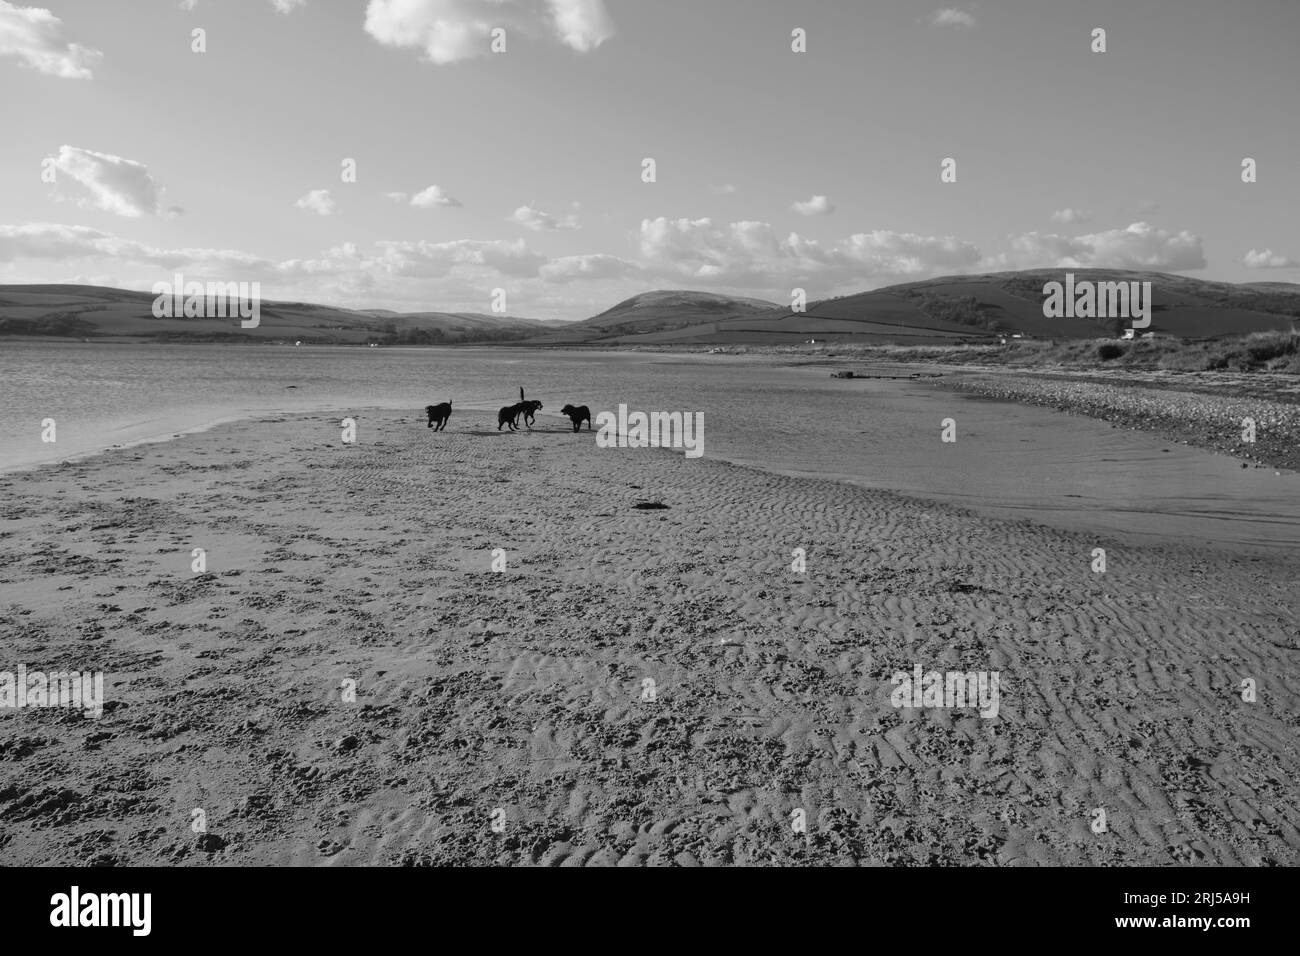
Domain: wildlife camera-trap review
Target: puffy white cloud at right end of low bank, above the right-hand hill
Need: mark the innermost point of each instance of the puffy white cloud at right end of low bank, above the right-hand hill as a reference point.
(1139, 246)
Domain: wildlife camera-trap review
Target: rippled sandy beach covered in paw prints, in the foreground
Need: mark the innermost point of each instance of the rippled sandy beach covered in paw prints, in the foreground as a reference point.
(636, 686)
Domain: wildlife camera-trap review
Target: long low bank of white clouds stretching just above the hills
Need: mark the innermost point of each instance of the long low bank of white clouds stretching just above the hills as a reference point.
(748, 258)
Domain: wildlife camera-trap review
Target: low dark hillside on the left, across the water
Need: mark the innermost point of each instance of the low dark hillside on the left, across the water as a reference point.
(98, 313)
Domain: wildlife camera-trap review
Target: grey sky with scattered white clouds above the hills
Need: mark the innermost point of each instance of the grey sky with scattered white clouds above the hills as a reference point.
(129, 155)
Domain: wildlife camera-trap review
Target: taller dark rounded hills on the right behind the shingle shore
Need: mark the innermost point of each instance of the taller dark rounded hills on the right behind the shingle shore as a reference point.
(937, 312)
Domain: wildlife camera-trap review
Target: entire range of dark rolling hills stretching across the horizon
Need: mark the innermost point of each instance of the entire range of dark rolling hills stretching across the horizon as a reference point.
(931, 312)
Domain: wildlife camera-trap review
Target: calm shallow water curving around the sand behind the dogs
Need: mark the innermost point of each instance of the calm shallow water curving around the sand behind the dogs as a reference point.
(1009, 461)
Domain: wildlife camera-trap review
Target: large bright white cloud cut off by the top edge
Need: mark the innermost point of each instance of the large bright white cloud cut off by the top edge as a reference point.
(454, 31)
